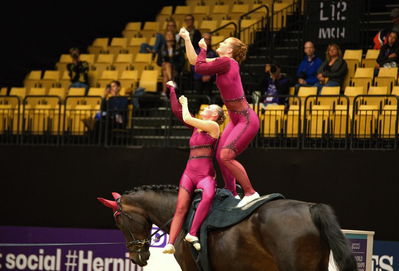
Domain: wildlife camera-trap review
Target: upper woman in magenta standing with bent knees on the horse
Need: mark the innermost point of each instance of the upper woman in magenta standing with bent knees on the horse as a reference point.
(244, 122)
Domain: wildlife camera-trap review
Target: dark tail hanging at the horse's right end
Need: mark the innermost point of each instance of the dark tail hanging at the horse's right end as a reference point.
(324, 218)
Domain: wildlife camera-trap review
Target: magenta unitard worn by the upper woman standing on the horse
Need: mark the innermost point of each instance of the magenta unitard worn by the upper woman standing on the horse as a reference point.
(243, 125)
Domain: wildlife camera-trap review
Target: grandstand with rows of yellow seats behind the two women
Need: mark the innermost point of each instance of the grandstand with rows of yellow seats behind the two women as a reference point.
(362, 115)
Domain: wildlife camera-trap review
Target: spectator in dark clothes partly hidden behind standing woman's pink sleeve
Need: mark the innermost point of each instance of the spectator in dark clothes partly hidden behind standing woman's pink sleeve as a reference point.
(204, 83)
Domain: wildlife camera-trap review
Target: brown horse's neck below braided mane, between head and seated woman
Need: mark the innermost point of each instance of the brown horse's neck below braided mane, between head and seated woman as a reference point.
(159, 207)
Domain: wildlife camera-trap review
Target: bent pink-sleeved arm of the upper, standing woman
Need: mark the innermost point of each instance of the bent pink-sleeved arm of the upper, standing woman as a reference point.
(219, 65)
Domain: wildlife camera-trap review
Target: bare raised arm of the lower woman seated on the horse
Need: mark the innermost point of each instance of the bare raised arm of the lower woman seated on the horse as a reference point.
(209, 126)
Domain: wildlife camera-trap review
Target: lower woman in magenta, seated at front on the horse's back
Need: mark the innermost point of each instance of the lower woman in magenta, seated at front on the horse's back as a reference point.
(199, 172)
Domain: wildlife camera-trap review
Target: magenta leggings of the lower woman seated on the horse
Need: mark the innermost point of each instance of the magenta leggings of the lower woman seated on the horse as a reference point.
(186, 189)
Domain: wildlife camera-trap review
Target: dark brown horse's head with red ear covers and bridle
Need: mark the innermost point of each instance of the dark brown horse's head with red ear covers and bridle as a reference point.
(135, 225)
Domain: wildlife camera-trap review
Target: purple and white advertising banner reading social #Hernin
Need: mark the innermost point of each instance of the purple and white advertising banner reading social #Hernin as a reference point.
(70, 249)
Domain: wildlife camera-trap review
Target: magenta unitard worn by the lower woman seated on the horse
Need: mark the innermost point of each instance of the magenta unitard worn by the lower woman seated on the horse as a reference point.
(199, 173)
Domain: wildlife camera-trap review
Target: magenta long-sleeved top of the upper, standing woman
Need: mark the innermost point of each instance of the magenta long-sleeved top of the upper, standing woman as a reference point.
(227, 73)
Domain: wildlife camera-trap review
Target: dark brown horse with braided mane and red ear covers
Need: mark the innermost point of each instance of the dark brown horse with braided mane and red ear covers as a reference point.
(280, 235)
